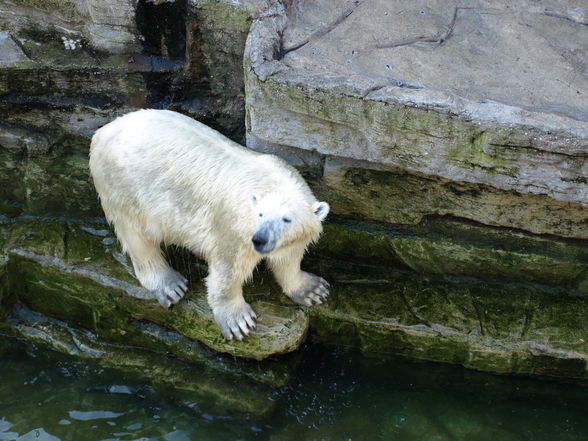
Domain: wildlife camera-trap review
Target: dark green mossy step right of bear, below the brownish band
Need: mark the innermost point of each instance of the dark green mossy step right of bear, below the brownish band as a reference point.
(448, 247)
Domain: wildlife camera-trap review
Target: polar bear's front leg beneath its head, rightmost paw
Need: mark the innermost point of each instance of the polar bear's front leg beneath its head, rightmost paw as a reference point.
(303, 288)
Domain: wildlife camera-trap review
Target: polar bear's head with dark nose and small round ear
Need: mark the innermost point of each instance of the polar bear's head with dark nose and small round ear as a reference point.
(283, 219)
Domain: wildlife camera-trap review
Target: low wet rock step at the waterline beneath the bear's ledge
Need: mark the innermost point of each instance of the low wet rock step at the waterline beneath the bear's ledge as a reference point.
(186, 380)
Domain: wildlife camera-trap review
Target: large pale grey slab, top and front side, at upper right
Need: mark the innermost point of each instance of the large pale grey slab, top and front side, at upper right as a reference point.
(492, 93)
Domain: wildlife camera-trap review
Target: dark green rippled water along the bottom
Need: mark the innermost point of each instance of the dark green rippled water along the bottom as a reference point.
(335, 394)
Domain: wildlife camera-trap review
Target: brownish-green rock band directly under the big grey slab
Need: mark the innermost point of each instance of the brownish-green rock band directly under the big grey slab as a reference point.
(400, 197)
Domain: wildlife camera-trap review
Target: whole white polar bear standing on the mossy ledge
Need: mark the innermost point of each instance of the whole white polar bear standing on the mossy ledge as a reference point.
(164, 177)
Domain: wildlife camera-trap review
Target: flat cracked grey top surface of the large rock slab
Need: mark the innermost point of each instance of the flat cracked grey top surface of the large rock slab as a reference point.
(525, 54)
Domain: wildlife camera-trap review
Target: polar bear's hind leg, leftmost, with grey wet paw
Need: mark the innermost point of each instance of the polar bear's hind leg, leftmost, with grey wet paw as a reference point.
(151, 269)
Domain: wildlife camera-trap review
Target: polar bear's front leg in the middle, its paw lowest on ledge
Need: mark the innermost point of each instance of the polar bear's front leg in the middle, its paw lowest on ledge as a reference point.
(225, 296)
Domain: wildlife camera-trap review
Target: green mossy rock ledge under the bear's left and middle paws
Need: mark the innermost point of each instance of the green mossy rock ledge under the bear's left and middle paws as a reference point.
(77, 276)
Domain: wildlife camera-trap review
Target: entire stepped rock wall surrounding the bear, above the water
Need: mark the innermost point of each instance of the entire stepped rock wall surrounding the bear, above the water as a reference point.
(450, 139)
